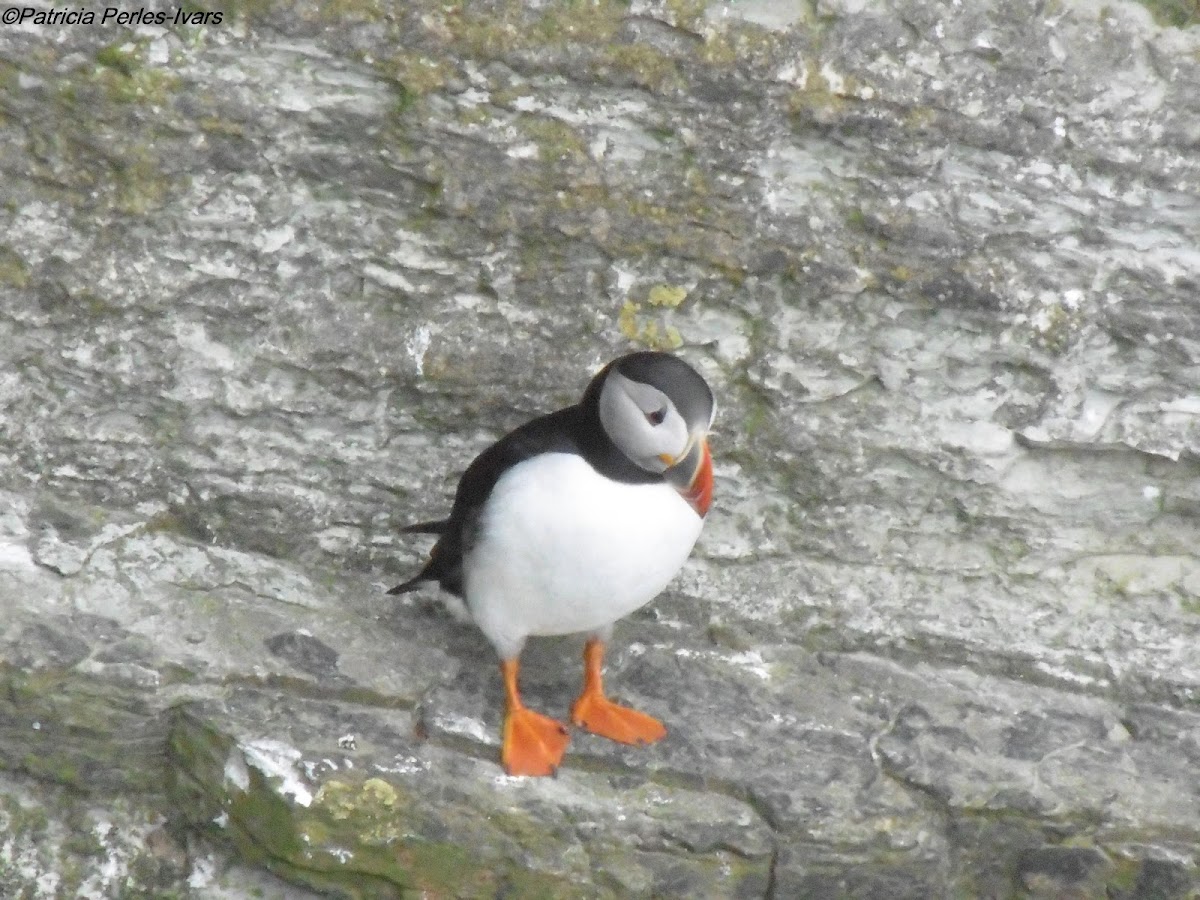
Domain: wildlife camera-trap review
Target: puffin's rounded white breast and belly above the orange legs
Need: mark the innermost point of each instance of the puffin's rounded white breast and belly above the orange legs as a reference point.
(562, 549)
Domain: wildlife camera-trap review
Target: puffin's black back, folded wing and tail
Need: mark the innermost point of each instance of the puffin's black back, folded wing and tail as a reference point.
(556, 433)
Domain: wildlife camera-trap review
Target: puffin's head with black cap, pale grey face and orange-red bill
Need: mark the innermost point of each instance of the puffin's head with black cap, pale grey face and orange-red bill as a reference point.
(657, 411)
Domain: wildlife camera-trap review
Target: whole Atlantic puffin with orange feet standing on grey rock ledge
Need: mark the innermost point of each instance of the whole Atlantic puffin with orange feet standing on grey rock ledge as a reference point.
(573, 521)
